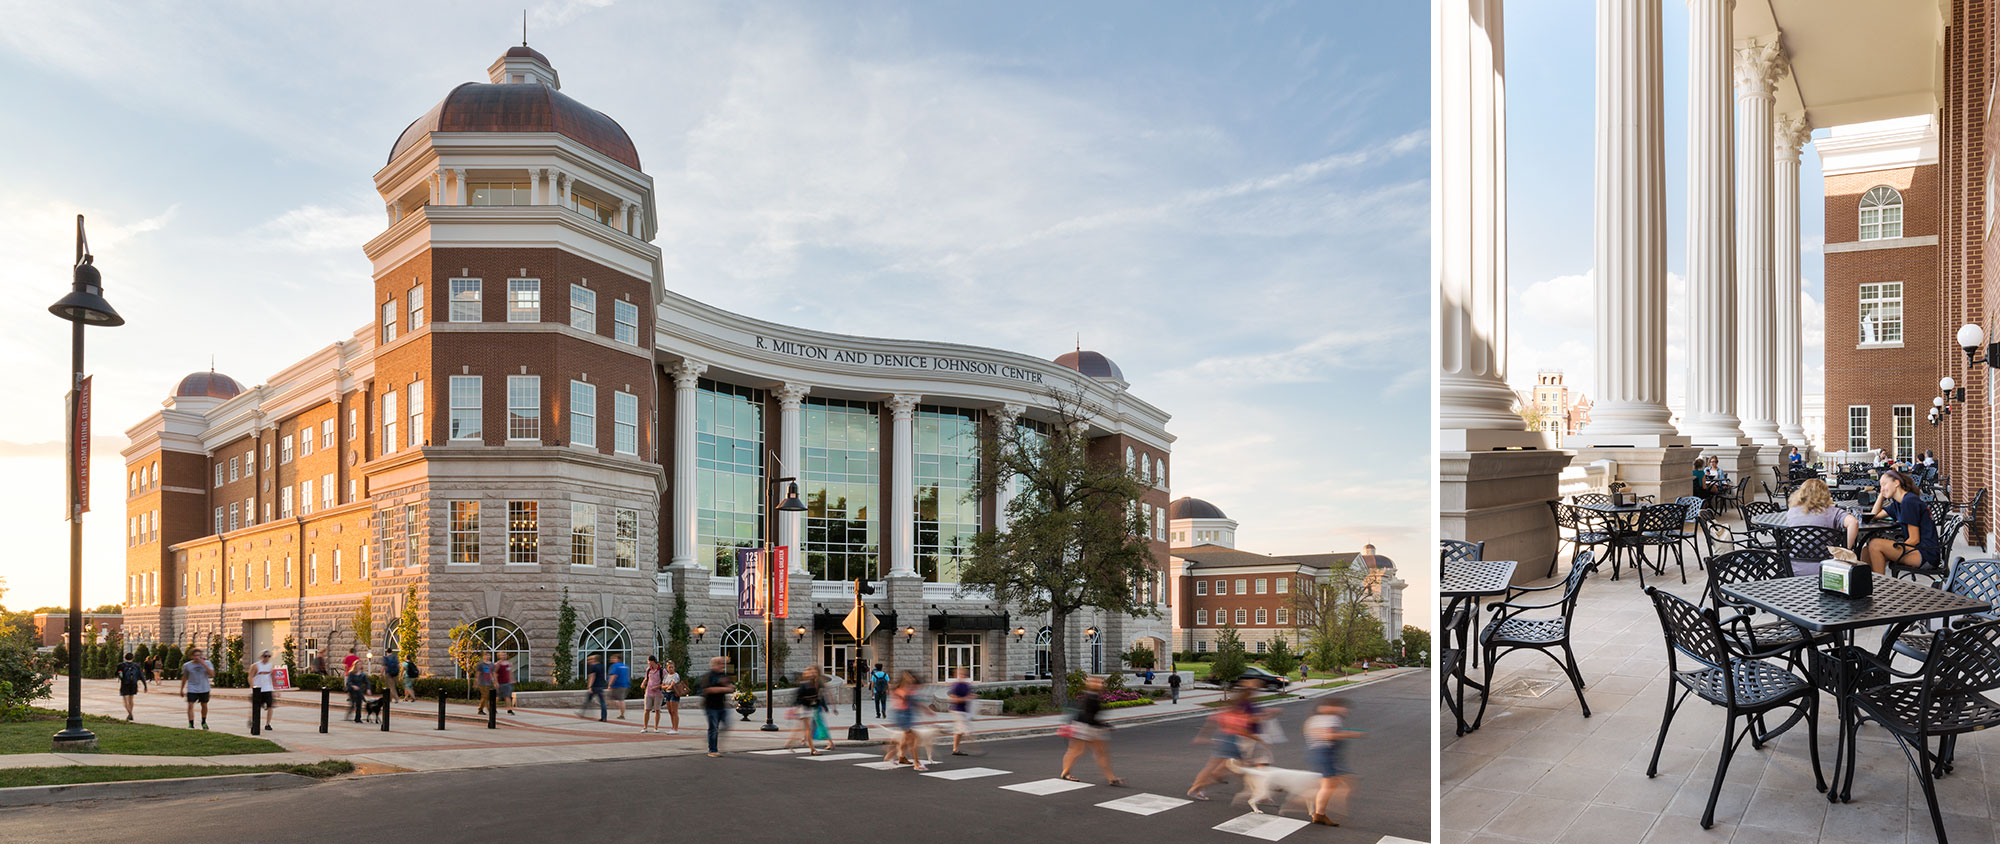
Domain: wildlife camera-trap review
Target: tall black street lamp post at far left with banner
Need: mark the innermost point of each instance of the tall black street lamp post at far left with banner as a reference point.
(83, 307)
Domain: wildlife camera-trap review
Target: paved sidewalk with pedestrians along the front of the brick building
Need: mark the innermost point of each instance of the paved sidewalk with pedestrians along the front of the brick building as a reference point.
(529, 737)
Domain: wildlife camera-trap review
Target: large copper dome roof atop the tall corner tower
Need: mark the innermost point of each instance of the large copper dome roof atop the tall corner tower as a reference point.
(527, 107)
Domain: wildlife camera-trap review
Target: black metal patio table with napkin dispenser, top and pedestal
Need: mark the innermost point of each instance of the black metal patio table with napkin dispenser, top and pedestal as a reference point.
(1839, 671)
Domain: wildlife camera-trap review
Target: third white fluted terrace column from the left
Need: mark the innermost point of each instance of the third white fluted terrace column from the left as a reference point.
(1711, 405)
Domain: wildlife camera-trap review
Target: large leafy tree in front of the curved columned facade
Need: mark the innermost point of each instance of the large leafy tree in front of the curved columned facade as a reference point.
(1075, 537)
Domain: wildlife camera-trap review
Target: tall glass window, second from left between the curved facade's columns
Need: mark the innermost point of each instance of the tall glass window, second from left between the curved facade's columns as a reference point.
(841, 481)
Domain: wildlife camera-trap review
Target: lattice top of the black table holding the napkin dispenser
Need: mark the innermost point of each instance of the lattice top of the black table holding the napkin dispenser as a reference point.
(1803, 603)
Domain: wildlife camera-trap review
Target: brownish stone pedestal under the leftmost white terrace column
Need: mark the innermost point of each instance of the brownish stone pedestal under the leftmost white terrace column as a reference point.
(1503, 499)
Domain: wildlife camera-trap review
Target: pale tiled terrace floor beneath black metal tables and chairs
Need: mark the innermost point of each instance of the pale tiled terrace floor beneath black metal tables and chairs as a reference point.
(1543, 773)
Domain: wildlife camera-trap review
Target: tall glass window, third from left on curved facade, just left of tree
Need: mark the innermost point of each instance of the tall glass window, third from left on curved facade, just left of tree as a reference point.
(947, 469)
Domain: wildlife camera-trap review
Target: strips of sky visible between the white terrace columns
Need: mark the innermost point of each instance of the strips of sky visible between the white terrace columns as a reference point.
(1551, 151)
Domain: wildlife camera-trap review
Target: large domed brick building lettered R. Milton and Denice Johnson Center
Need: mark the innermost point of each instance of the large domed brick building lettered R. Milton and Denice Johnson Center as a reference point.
(531, 415)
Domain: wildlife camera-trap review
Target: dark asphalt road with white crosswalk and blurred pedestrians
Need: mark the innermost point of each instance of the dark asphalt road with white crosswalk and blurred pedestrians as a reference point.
(791, 799)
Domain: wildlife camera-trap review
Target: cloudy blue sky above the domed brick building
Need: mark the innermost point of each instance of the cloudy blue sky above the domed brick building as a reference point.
(1227, 199)
